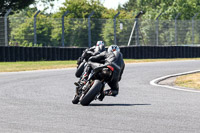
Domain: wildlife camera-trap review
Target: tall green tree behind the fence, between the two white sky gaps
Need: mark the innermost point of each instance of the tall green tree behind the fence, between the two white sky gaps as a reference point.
(76, 30)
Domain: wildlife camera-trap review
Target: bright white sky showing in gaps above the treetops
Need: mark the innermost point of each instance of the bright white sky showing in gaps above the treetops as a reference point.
(107, 3)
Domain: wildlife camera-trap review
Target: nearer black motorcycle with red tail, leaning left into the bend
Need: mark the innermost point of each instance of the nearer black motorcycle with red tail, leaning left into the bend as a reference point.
(91, 88)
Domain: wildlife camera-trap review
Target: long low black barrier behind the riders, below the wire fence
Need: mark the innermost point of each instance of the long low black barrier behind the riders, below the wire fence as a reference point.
(14, 53)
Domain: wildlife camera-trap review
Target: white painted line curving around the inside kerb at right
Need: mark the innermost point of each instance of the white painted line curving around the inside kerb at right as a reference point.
(155, 81)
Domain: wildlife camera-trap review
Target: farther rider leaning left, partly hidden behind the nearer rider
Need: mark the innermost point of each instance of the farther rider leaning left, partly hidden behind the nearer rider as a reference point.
(87, 53)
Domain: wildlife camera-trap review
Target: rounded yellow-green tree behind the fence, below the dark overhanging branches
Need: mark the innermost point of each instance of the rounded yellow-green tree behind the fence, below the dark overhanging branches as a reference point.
(22, 32)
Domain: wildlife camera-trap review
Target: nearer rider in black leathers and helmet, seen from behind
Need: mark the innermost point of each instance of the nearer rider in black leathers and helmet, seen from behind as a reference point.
(112, 57)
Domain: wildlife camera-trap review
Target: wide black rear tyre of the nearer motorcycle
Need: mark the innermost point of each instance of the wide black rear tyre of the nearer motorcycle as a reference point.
(92, 93)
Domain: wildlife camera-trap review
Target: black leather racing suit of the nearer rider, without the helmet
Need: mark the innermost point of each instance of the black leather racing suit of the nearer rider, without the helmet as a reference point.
(115, 59)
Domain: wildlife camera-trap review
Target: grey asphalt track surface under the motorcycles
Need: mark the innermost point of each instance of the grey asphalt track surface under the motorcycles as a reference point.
(40, 101)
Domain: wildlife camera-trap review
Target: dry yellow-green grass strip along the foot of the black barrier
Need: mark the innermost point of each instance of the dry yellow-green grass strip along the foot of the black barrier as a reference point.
(41, 65)
